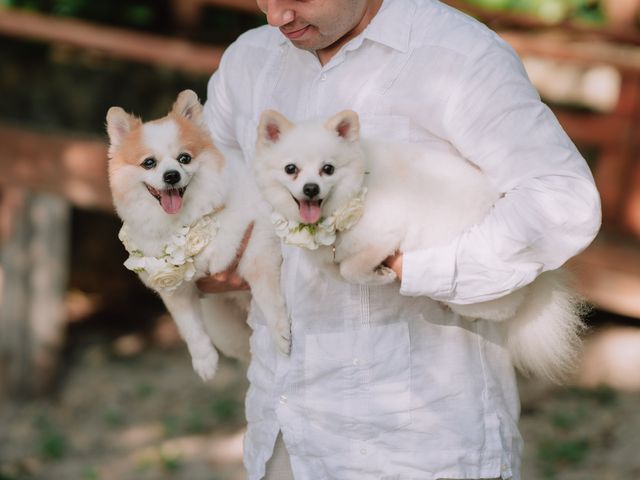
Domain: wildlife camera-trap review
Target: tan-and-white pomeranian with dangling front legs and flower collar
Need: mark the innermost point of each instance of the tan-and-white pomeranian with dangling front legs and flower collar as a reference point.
(185, 209)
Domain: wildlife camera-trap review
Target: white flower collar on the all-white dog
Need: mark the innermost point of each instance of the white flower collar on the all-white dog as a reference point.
(323, 232)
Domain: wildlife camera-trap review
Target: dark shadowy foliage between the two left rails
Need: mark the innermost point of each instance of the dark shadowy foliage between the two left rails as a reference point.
(59, 89)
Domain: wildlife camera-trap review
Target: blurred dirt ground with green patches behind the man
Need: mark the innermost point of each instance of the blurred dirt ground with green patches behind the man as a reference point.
(130, 407)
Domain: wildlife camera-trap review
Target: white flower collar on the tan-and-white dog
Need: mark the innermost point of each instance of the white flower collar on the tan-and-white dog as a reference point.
(175, 265)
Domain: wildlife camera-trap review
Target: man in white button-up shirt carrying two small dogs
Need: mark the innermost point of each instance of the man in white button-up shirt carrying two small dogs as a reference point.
(382, 382)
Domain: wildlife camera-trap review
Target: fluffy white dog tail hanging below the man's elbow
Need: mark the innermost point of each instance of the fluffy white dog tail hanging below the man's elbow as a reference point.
(544, 337)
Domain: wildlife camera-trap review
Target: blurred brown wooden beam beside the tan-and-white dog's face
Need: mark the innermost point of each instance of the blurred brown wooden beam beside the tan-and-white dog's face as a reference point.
(71, 167)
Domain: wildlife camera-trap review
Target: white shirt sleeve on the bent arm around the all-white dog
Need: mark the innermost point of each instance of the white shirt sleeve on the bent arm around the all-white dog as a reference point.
(548, 210)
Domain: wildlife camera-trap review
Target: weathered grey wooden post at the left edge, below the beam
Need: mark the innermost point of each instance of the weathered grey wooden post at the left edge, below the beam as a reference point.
(34, 272)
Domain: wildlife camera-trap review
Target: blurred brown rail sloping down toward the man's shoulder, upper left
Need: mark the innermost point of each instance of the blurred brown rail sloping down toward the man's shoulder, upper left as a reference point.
(116, 42)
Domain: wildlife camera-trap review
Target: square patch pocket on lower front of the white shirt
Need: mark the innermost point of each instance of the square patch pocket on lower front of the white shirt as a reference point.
(358, 383)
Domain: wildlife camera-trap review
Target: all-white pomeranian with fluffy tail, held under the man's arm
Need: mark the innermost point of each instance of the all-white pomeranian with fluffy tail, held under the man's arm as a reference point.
(351, 203)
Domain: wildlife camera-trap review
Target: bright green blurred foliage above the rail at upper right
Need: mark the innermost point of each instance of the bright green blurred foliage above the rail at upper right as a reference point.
(550, 11)
